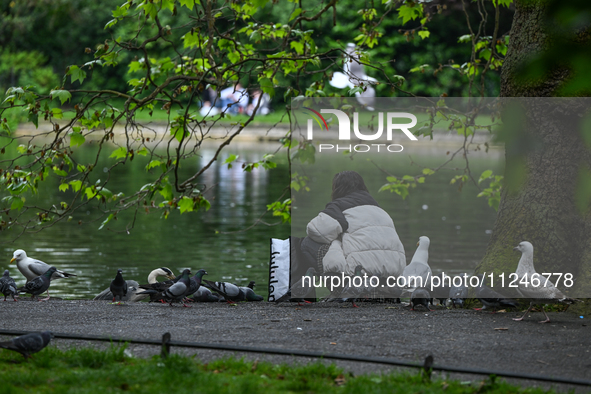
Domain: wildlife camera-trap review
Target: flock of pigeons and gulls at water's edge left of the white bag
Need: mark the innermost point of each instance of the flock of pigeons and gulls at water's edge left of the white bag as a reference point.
(182, 289)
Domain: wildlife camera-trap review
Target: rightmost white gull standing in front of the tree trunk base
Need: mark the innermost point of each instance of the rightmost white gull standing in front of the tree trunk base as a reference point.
(545, 293)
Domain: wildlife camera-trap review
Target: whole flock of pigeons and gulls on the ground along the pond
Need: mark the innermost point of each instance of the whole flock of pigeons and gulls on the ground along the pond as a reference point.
(40, 274)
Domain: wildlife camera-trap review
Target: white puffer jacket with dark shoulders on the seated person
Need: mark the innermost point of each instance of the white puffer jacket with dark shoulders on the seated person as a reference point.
(359, 233)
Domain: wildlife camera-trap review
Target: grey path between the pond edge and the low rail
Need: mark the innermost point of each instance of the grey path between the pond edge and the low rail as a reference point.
(459, 338)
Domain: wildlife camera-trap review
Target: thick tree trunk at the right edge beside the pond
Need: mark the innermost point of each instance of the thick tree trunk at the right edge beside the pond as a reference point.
(544, 158)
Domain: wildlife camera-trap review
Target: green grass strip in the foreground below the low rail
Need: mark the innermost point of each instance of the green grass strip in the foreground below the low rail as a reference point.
(87, 370)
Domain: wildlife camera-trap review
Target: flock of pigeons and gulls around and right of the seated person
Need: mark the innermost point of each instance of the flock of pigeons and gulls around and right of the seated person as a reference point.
(545, 293)
